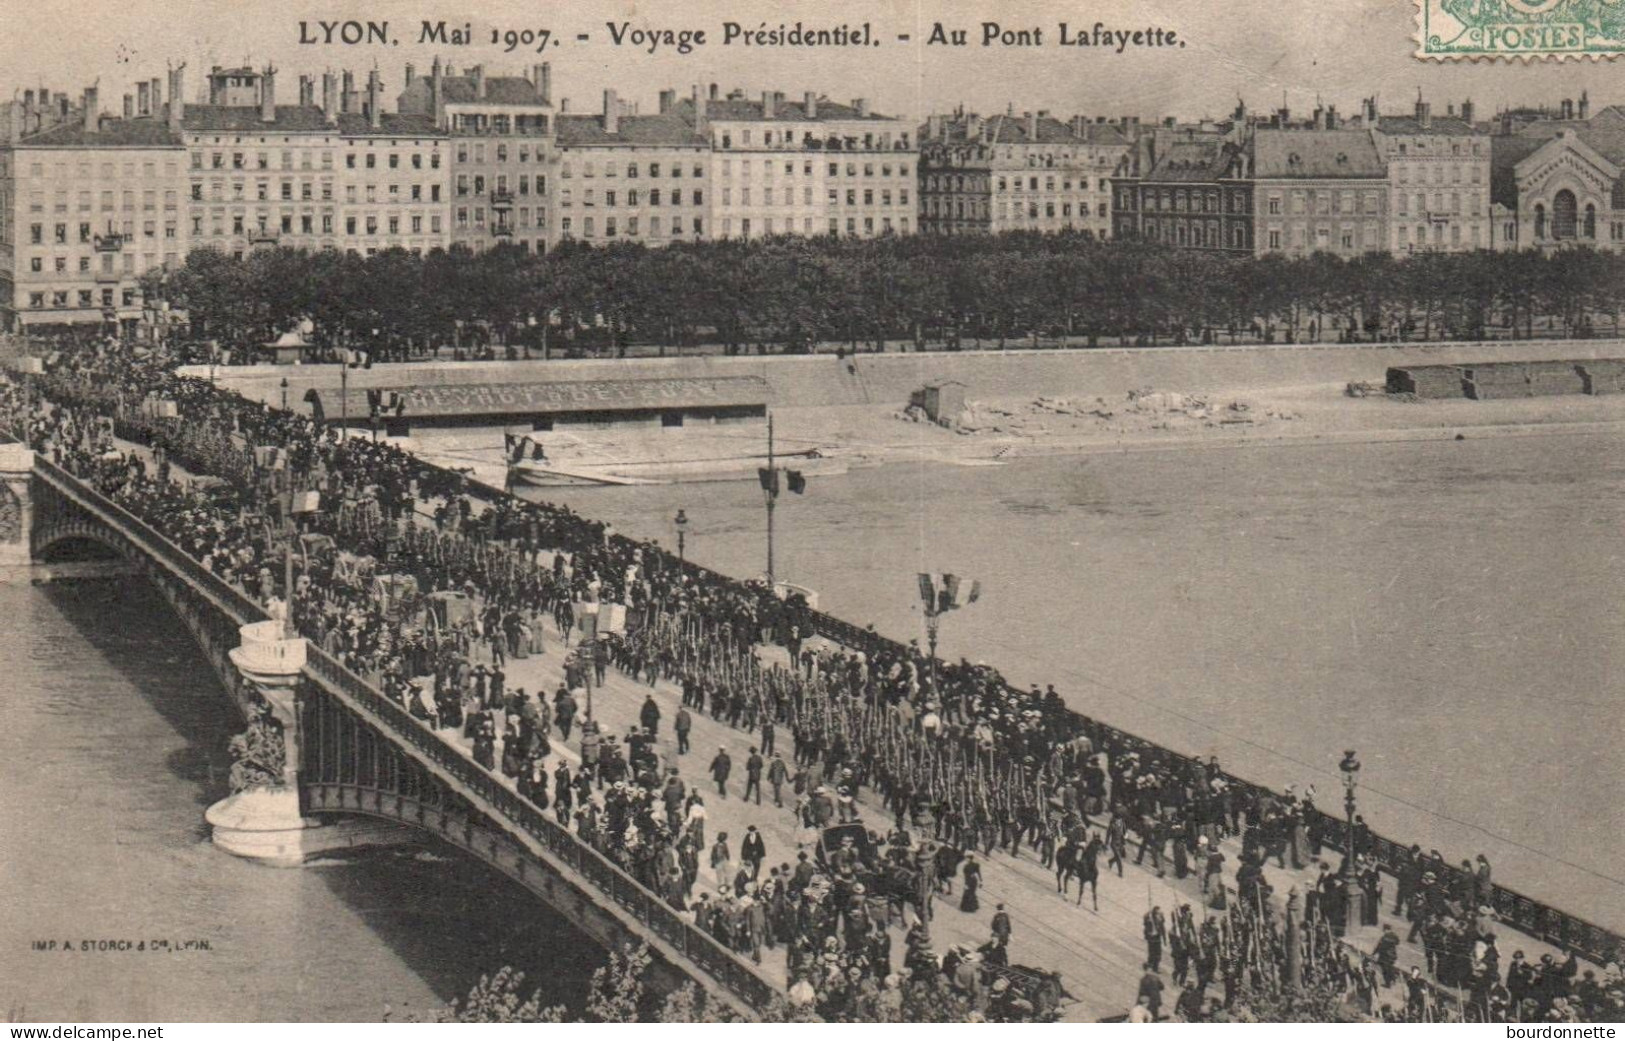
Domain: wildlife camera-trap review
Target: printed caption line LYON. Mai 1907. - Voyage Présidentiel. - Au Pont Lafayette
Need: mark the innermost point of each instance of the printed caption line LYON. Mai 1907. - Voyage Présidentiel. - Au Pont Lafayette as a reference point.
(654, 38)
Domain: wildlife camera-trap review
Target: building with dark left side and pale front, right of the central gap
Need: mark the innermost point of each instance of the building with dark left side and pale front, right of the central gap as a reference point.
(1034, 173)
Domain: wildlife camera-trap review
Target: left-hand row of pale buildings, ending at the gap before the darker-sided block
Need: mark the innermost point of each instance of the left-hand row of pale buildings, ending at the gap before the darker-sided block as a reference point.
(92, 202)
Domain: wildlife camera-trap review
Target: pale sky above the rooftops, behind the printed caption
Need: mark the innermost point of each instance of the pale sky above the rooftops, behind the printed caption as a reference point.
(1254, 50)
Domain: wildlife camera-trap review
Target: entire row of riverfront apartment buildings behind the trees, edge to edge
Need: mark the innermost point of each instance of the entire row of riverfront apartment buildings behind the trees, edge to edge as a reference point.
(90, 202)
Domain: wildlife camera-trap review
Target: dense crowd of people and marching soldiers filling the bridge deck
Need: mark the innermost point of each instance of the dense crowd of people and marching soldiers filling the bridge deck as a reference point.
(431, 589)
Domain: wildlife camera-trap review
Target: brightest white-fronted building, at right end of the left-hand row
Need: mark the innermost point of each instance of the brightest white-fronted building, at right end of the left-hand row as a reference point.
(804, 168)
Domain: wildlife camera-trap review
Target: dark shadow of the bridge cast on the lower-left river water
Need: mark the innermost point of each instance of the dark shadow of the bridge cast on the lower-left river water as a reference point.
(444, 915)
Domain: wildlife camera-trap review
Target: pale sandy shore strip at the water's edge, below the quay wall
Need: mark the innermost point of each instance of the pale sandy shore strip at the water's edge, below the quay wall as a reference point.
(1023, 428)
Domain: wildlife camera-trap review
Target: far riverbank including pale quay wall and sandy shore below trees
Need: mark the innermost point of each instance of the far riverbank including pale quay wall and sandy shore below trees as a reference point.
(1025, 404)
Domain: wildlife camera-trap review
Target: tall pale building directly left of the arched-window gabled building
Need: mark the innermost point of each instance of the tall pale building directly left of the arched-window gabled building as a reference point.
(1439, 179)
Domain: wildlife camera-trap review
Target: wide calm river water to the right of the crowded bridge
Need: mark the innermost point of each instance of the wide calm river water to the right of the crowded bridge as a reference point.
(1449, 610)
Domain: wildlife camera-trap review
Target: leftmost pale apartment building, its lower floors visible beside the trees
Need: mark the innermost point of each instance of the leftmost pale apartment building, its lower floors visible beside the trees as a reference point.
(89, 205)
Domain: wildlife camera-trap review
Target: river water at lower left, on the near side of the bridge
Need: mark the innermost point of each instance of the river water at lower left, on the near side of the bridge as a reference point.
(115, 745)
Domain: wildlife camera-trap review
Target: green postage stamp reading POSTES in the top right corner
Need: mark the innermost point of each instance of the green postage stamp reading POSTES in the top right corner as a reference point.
(1528, 30)
